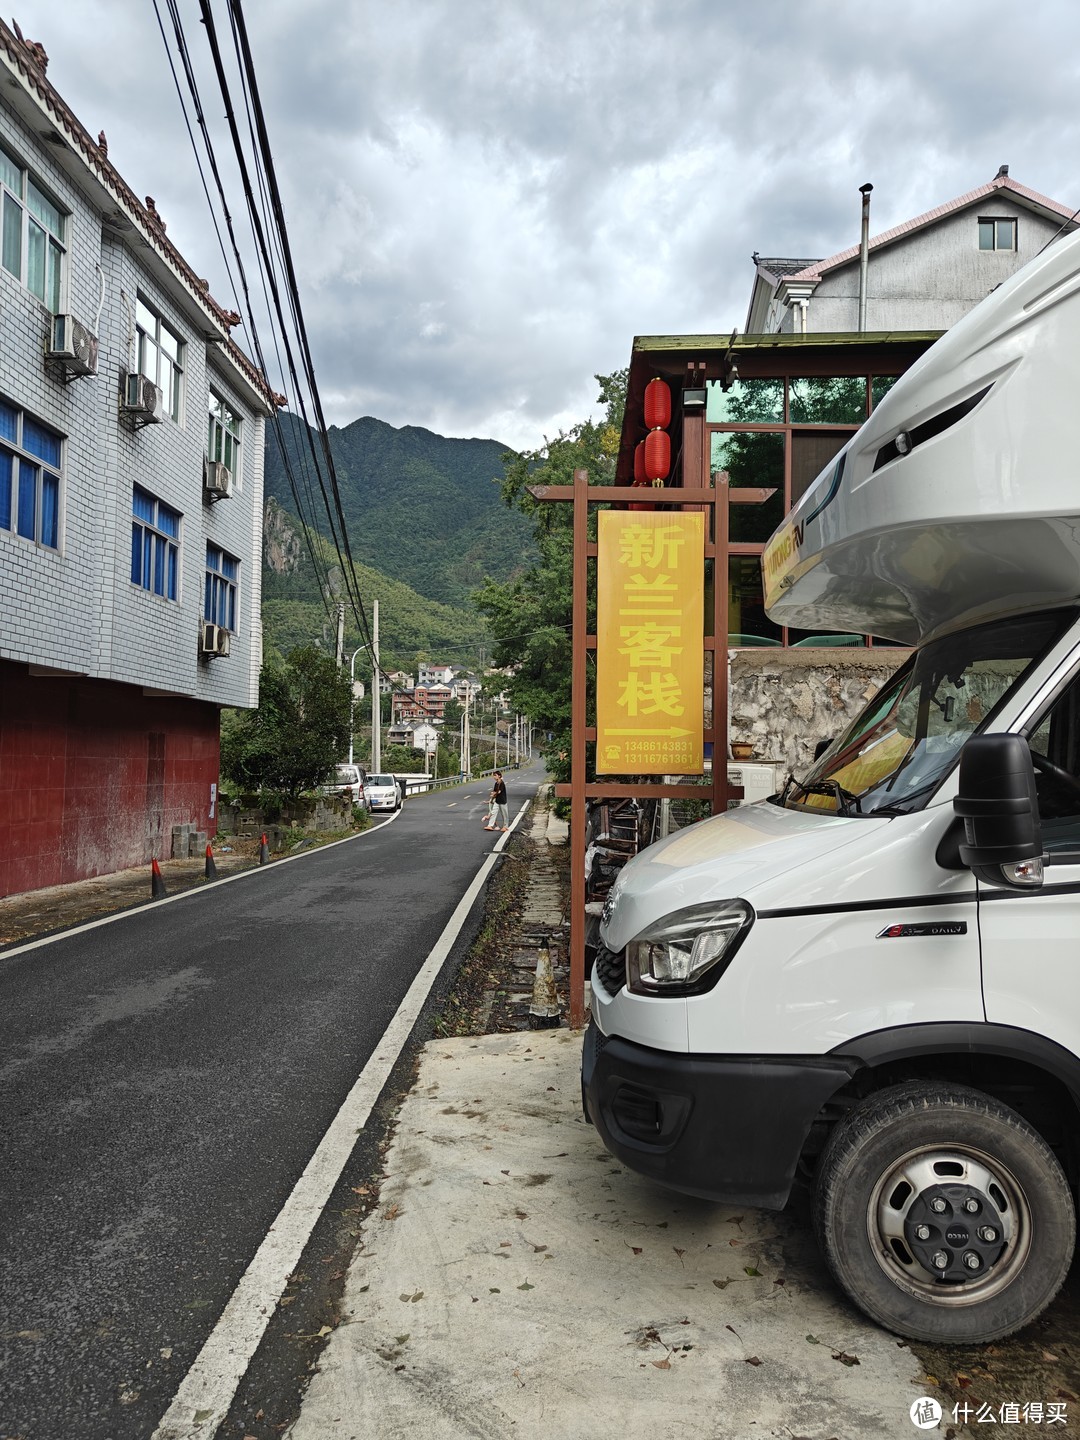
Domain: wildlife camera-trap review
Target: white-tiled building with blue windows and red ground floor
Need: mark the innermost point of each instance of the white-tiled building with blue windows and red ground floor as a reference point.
(130, 509)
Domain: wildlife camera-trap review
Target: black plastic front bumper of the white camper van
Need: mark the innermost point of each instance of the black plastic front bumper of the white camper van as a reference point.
(726, 1128)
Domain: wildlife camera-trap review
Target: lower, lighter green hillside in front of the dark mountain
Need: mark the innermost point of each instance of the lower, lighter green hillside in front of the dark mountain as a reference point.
(294, 614)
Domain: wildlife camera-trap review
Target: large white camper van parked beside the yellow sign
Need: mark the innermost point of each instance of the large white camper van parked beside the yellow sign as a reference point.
(872, 981)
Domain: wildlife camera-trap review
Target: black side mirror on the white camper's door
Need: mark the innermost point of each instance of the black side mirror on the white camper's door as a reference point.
(1003, 839)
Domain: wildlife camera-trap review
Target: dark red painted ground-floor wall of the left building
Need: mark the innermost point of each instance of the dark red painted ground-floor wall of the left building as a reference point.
(94, 775)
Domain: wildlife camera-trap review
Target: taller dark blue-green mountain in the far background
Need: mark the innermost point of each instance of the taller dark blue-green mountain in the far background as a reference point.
(421, 509)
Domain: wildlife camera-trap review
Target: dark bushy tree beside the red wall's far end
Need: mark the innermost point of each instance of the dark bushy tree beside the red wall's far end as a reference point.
(300, 731)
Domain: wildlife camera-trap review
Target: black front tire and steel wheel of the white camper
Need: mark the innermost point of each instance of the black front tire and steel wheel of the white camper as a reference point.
(885, 1169)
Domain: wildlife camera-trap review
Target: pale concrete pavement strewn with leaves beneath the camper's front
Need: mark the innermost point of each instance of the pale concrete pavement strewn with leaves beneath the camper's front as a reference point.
(516, 1281)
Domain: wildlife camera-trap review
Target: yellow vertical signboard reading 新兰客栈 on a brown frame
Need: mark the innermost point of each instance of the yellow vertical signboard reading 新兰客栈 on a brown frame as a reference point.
(650, 642)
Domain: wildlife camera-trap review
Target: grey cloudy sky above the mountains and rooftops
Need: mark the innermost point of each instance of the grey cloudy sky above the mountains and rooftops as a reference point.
(489, 199)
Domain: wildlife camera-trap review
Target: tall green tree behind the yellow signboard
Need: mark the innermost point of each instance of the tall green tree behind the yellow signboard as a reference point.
(531, 616)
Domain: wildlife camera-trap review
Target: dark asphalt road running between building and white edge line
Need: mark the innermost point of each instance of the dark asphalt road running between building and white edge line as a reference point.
(165, 1081)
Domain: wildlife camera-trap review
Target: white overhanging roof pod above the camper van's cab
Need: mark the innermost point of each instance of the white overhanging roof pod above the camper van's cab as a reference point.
(960, 499)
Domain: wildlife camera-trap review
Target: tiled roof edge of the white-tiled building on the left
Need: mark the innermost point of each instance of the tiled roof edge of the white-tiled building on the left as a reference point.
(30, 61)
